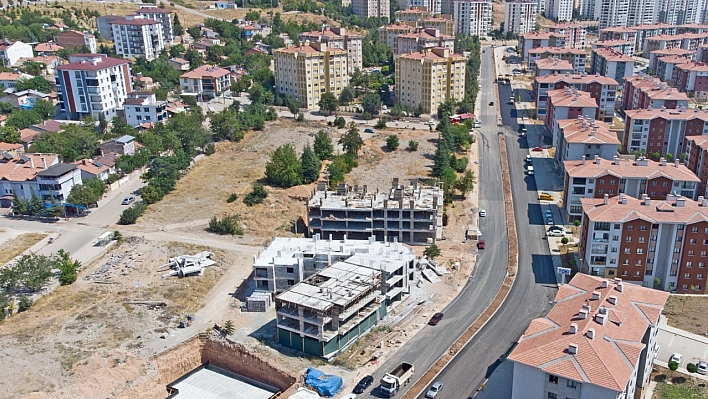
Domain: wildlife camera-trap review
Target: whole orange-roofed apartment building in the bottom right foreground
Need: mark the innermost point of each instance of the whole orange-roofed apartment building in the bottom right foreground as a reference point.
(597, 342)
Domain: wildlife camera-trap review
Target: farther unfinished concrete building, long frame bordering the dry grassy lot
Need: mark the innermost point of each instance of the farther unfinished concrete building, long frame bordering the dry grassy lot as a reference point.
(411, 214)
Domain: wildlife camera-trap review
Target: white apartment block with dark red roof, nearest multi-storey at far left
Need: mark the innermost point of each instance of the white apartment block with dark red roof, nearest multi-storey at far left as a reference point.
(92, 84)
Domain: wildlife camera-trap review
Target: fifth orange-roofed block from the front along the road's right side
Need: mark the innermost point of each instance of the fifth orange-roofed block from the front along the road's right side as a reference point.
(568, 103)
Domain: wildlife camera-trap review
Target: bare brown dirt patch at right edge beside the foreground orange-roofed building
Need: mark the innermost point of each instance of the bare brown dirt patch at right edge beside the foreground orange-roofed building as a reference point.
(688, 313)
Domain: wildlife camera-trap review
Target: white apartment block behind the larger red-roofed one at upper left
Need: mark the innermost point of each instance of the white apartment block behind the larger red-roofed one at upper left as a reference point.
(136, 36)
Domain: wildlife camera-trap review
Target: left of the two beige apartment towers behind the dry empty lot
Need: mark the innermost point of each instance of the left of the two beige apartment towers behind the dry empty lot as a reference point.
(302, 72)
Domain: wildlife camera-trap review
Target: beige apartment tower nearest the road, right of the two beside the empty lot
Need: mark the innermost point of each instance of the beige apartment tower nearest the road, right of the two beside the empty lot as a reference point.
(429, 78)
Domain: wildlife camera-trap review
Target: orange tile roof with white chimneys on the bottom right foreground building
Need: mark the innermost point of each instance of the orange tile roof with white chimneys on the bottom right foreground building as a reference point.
(610, 358)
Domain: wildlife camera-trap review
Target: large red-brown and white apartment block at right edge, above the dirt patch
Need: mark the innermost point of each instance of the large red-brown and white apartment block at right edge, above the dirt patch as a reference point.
(647, 242)
